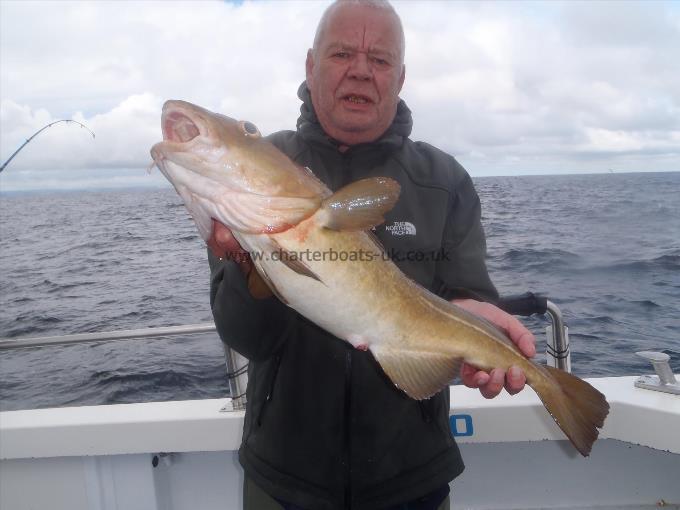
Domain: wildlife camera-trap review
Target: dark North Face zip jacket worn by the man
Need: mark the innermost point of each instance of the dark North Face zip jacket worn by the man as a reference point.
(324, 427)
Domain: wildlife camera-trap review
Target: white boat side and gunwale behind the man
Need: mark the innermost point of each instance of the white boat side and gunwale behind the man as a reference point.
(103, 457)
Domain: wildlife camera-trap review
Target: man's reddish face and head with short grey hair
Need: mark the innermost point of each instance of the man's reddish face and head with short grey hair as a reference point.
(356, 74)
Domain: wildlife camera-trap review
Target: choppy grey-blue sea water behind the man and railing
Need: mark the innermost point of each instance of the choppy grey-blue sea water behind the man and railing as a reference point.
(605, 248)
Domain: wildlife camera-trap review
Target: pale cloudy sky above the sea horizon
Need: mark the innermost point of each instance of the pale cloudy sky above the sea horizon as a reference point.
(508, 88)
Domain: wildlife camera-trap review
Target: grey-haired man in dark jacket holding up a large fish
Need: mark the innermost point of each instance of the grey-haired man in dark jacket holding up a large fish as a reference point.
(324, 428)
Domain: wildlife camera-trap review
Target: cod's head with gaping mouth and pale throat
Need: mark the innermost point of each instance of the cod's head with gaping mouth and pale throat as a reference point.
(224, 169)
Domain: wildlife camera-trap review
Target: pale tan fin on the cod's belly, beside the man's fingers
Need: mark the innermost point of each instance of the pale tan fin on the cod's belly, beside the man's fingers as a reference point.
(419, 374)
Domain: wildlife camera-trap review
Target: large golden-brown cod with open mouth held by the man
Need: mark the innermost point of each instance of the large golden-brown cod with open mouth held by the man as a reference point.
(291, 223)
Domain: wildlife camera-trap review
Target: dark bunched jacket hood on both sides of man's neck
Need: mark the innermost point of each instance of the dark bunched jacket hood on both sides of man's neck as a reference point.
(310, 129)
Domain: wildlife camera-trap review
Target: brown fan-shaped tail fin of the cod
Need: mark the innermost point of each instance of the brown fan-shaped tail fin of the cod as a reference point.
(577, 407)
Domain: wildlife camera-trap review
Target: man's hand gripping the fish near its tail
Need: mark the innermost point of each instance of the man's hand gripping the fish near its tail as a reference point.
(491, 384)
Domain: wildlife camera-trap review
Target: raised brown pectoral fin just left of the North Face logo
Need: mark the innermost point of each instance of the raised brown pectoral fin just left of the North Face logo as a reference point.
(360, 205)
